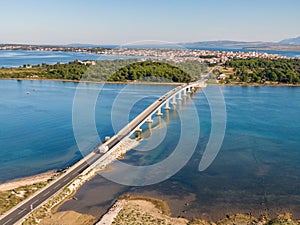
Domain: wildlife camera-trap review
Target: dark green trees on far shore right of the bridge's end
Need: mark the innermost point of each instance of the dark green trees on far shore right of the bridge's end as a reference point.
(262, 71)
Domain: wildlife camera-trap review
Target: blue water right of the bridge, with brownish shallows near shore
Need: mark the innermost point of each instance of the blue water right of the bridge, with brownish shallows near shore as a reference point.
(256, 171)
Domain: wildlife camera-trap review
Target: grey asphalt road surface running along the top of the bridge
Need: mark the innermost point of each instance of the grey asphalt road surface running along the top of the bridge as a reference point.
(28, 205)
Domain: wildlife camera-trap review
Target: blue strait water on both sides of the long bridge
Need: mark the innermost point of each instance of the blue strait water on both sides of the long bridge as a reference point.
(257, 168)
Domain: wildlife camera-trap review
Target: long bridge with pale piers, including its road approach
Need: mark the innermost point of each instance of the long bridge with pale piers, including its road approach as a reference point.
(18, 213)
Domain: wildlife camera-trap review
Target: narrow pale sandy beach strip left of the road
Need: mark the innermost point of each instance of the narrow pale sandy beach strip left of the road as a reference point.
(26, 181)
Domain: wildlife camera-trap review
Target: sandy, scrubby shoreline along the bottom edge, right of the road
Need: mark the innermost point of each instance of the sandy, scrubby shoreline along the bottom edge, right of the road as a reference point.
(134, 207)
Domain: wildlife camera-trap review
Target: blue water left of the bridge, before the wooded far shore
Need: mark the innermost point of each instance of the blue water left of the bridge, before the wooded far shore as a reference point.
(36, 132)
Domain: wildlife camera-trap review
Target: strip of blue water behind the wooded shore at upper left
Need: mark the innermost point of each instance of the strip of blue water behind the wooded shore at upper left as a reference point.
(16, 58)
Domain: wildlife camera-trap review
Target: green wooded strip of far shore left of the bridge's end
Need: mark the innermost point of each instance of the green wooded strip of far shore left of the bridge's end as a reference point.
(110, 70)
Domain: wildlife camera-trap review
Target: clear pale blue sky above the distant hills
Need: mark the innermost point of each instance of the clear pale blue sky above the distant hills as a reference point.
(125, 21)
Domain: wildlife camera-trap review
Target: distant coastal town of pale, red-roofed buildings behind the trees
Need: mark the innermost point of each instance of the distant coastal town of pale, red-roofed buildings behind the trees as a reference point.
(172, 54)
